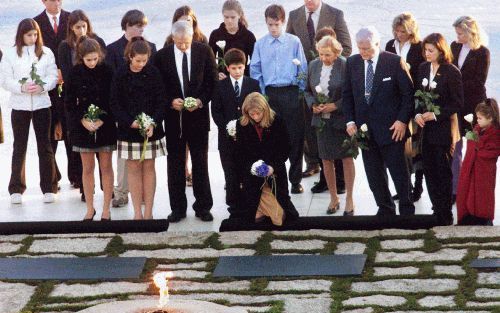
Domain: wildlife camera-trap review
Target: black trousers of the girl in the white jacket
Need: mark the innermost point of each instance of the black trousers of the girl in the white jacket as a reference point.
(21, 121)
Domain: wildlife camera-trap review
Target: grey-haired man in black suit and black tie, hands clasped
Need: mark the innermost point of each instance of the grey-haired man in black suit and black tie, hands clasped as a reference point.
(188, 69)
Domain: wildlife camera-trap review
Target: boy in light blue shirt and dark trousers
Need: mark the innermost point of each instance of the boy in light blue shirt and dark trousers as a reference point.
(280, 66)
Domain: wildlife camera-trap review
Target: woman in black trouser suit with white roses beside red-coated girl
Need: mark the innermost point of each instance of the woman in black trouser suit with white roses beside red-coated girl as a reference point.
(442, 81)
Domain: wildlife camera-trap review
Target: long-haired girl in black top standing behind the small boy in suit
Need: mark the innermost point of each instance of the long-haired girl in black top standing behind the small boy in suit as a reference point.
(232, 33)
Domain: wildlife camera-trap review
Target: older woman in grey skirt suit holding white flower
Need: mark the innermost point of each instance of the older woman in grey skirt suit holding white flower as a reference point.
(324, 95)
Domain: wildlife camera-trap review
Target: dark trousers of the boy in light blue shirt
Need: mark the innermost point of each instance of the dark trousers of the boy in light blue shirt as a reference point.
(285, 102)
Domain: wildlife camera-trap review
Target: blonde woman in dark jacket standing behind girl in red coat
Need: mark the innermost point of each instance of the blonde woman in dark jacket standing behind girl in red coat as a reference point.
(473, 59)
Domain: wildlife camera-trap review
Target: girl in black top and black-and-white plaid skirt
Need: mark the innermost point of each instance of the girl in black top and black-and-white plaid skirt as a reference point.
(138, 103)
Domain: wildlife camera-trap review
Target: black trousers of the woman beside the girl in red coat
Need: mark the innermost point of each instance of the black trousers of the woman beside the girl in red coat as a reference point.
(438, 178)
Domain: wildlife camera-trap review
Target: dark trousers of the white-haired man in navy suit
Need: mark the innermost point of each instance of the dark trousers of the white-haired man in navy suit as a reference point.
(375, 161)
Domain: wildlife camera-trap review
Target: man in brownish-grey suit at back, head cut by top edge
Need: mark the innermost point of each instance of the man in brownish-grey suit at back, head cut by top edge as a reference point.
(304, 22)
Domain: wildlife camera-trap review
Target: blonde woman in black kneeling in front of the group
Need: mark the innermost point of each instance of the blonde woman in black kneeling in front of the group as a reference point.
(262, 135)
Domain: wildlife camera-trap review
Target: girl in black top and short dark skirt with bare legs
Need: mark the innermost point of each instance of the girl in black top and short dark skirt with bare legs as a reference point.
(88, 84)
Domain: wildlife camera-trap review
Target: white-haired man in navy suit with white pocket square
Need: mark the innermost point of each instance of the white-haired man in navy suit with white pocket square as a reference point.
(378, 92)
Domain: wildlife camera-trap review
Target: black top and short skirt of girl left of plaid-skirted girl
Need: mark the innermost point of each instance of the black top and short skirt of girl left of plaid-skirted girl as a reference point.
(84, 87)
